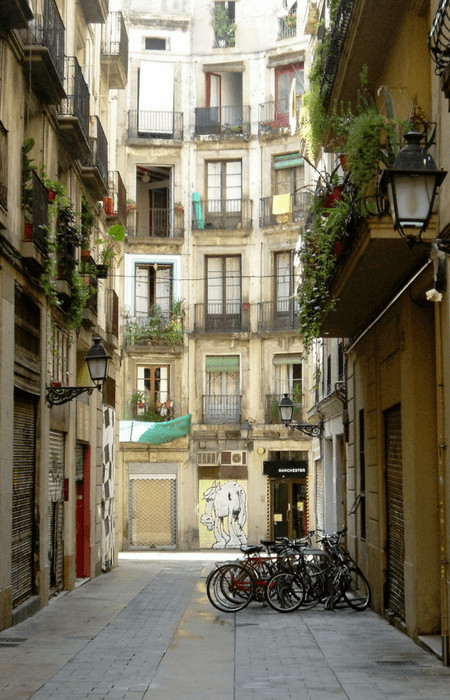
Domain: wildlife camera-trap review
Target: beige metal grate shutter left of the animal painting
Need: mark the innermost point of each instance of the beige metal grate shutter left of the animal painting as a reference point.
(152, 517)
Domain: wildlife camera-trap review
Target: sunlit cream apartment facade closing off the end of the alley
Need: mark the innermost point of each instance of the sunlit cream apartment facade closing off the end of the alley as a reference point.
(210, 318)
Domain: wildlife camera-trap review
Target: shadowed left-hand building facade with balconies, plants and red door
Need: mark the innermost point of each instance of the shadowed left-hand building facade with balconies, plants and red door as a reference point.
(61, 67)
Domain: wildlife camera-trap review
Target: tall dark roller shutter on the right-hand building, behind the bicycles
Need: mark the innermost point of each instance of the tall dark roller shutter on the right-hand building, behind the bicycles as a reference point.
(395, 549)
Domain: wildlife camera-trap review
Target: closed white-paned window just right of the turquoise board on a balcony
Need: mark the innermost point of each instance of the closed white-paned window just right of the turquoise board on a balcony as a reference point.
(224, 187)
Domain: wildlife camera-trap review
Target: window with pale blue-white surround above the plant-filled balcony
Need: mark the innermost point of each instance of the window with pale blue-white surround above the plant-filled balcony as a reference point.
(154, 290)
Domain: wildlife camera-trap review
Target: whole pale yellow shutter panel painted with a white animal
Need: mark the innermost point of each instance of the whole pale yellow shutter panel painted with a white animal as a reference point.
(223, 508)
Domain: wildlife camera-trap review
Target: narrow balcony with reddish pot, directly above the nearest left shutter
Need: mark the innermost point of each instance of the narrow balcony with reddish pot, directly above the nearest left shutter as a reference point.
(34, 245)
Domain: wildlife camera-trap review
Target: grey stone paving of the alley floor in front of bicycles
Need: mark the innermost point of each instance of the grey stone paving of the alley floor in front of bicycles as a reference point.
(146, 630)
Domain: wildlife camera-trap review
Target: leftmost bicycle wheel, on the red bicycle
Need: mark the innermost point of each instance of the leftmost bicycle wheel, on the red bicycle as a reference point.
(230, 588)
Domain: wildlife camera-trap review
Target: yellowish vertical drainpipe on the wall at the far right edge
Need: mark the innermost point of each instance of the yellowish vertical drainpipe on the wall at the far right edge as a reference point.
(441, 491)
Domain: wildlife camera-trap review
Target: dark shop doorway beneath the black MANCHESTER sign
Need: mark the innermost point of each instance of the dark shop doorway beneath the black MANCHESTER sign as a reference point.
(289, 517)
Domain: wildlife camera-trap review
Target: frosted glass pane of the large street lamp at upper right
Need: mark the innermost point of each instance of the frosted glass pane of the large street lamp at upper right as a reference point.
(414, 194)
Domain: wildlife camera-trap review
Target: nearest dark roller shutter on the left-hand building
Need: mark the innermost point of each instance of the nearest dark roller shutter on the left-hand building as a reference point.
(23, 497)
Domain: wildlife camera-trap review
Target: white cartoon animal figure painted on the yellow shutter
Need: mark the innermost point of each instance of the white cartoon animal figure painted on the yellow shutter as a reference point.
(225, 501)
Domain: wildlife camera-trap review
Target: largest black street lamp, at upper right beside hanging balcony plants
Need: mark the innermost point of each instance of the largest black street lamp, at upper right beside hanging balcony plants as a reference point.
(411, 185)
